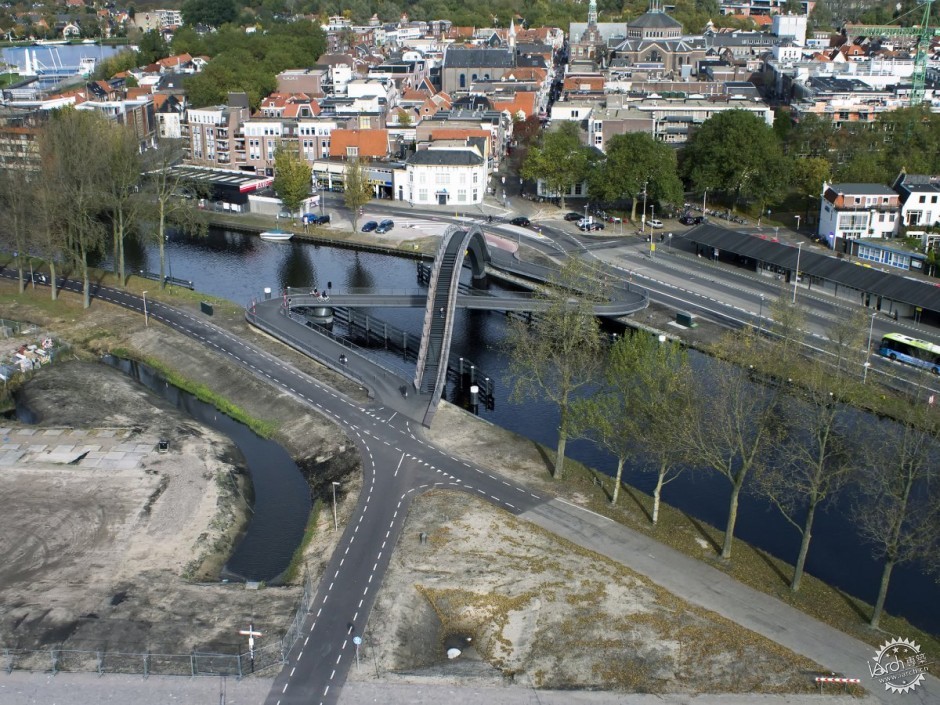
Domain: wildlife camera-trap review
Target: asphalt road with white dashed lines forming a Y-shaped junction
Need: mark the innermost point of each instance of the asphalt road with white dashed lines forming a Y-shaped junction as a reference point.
(398, 465)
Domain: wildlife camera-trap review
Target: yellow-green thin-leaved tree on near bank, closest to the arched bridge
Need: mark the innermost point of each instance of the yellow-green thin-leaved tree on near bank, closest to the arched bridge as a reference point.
(559, 353)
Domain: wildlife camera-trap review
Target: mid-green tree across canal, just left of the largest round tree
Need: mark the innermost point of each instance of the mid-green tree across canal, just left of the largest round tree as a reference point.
(634, 162)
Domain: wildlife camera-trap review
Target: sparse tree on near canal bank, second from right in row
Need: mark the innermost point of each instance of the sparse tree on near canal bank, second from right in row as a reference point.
(814, 460)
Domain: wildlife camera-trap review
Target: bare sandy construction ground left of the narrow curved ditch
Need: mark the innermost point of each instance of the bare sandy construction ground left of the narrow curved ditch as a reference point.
(94, 549)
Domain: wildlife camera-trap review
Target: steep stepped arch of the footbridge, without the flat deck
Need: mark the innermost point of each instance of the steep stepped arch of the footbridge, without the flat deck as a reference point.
(431, 373)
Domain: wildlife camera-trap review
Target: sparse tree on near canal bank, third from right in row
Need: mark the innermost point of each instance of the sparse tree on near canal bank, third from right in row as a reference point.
(734, 420)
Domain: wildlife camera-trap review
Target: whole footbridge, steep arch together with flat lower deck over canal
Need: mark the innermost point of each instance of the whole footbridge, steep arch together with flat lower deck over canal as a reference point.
(440, 301)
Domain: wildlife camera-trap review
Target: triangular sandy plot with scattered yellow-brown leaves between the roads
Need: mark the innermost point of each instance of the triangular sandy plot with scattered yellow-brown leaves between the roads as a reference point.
(528, 608)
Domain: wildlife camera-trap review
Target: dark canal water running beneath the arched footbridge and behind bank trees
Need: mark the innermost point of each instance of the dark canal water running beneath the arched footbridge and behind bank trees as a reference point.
(237, 267)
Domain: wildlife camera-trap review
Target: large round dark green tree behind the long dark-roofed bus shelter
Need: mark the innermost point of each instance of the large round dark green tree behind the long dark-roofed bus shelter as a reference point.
(735, 152)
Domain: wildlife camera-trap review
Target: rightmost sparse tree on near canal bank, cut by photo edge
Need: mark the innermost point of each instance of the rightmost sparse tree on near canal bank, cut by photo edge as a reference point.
(898, 511)
